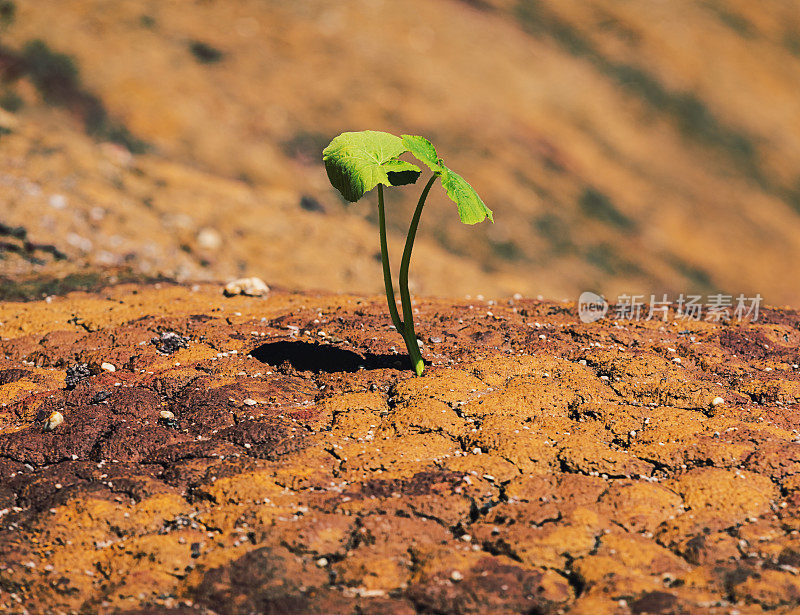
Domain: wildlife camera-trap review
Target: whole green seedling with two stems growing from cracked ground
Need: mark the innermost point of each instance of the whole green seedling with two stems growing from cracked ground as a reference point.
(357, 162)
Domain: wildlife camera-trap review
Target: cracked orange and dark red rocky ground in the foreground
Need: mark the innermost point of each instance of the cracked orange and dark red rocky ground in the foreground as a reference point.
(273, 455)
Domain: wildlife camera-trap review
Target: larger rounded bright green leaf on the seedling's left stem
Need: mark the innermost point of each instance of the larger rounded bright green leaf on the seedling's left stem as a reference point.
(356, 162)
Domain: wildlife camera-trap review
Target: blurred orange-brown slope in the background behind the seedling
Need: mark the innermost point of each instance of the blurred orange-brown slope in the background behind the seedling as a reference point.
(624, 146)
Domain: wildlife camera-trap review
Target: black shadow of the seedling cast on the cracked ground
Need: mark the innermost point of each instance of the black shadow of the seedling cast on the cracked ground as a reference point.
(306, 357)
